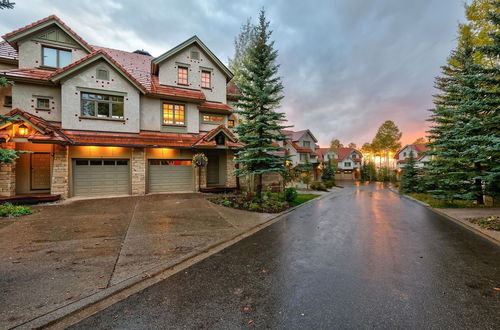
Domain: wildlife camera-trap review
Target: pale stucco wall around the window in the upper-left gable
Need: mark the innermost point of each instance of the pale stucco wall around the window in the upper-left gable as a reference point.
(30, 51)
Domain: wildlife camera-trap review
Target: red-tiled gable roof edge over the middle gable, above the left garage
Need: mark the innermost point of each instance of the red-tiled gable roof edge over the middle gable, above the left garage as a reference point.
(91, 58)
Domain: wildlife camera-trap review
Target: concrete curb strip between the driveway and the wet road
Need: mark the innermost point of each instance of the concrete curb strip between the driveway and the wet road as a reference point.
(72, 313)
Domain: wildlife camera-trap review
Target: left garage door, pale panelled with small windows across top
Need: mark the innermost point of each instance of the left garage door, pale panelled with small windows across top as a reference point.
(94, 177)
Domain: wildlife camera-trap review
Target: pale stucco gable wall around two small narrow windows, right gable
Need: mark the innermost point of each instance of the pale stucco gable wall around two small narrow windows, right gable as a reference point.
(168, 73)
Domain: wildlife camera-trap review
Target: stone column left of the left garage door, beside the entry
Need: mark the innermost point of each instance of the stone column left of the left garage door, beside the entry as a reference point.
(60, 171)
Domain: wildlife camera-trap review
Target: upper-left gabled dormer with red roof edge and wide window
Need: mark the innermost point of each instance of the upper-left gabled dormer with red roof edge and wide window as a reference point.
(48, 43)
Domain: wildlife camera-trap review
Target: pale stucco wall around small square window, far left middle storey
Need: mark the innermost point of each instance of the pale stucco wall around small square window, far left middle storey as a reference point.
(24, 97)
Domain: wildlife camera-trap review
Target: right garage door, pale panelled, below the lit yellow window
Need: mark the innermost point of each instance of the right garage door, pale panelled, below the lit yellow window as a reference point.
(167, 175)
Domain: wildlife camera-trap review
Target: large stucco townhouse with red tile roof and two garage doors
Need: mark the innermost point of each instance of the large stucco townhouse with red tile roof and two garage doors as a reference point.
(101, 121)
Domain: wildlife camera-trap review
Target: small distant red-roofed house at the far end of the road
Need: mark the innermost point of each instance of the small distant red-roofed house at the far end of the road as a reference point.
(348, 161)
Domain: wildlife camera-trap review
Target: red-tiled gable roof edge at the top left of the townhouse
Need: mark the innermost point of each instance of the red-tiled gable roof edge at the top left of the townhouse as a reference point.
(14, 36)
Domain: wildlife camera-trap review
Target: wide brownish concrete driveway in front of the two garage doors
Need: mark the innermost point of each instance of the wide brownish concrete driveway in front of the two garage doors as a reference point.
(66, 252)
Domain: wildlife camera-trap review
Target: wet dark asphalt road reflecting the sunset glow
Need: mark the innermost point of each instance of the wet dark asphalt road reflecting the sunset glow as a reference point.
(363, 258)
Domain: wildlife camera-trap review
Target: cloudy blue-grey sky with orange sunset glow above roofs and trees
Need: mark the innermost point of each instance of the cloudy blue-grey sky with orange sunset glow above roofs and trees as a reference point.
(347, 65)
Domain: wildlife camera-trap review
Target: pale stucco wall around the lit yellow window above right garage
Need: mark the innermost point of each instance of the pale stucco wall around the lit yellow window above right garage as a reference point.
(151, 115)
